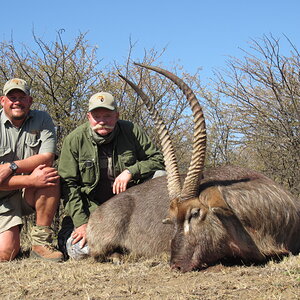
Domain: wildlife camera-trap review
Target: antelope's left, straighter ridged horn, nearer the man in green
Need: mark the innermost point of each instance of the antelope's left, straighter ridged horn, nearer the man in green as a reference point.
(174, 185)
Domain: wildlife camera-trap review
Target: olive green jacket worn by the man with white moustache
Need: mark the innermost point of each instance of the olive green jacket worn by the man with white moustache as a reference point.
(79, 165)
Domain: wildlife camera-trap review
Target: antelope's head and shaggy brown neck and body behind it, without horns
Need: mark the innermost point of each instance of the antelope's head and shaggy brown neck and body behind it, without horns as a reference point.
(239, 214)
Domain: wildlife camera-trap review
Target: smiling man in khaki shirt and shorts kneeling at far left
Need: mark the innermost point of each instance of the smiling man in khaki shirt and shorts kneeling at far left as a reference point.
(28, 182)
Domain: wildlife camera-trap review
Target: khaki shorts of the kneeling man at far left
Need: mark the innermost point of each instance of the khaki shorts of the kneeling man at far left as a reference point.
(11, 211)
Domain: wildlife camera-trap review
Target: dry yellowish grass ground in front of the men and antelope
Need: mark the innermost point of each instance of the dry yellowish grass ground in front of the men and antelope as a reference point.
(147, 279)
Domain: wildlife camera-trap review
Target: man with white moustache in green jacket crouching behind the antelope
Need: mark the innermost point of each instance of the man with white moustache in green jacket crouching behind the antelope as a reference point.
(99, 159)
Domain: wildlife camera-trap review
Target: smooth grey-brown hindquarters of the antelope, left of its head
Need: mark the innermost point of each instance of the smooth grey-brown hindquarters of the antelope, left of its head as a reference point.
(131, 222)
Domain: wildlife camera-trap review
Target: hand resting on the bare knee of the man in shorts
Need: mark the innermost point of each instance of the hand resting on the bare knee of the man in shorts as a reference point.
(43, 176)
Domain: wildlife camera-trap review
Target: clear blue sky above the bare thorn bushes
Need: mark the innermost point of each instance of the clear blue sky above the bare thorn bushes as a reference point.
(196, 33)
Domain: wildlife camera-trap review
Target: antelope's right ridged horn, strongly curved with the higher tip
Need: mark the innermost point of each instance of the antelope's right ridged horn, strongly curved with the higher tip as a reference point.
(191, 183)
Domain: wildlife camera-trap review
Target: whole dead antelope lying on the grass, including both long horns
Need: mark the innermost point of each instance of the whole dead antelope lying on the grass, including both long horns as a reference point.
(222, 213)
